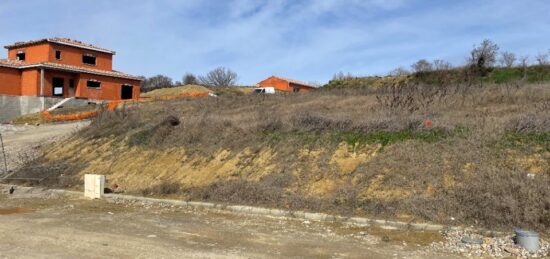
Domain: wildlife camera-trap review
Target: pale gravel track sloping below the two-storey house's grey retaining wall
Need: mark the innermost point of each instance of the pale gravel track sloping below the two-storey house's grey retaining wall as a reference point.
(21, 140)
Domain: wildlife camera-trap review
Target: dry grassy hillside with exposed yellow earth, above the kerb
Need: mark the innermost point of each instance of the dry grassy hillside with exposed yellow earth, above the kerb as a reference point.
(454, 155)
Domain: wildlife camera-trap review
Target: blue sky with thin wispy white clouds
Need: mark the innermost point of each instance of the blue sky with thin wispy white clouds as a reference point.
(307, 40)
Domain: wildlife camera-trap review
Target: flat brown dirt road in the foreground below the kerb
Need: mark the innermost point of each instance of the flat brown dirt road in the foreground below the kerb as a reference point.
(32, 226)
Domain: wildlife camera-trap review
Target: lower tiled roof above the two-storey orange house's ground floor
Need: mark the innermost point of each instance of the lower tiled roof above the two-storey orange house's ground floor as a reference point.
(22, 65)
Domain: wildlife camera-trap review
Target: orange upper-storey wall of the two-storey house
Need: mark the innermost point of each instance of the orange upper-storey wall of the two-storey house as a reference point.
(45, 52)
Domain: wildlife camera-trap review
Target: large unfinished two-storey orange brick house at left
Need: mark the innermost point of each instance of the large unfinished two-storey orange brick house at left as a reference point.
(61, 67)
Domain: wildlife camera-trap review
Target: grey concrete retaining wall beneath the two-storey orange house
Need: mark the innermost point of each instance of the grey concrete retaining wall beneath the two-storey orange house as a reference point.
(14, 106)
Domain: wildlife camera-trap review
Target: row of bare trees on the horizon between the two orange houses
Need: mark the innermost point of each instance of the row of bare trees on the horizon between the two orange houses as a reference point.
(218, 77)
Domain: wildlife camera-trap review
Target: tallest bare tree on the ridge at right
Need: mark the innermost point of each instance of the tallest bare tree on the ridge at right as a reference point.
(483, 57)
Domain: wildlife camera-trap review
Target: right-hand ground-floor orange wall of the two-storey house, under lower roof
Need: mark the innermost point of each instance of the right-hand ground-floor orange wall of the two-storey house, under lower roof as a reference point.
(110, 87)
